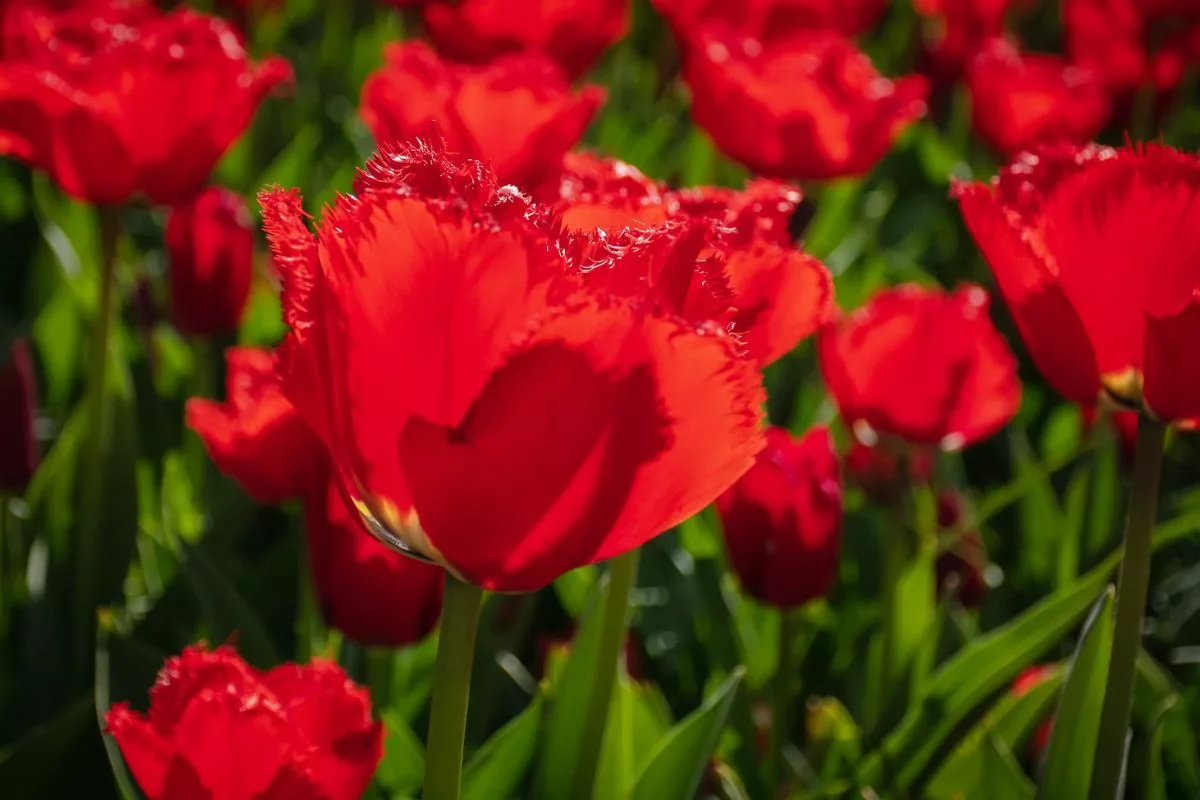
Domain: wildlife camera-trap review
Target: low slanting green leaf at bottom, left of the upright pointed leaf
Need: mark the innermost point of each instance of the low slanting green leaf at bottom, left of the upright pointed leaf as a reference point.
(1010, 724)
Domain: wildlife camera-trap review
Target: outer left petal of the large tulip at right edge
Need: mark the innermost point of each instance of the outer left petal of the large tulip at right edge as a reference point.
(1049, 326)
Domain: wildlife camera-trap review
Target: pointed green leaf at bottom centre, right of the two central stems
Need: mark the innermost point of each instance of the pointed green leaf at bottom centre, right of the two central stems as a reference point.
(675, 769)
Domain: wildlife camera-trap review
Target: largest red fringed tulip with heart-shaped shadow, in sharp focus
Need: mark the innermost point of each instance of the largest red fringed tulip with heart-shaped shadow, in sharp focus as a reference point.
(482, 414)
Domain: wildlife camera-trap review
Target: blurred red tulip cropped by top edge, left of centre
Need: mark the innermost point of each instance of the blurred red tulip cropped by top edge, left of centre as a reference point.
(572, 33)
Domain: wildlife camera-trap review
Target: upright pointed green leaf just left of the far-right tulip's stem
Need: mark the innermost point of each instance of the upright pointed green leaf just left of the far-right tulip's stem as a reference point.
(1067, 772)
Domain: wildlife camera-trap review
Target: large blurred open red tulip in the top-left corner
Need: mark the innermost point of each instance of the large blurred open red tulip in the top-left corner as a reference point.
(129, 103)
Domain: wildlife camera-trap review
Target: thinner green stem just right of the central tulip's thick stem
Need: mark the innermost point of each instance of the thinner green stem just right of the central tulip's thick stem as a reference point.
(622, 574)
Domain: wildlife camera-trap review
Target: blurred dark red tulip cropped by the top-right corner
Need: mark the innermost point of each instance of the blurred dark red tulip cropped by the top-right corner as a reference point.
(1133, 44)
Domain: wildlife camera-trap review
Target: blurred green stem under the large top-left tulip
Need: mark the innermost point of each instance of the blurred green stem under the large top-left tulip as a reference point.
(93, 498)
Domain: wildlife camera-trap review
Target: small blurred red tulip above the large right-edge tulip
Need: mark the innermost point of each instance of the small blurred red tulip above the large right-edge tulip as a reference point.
(1021, 100)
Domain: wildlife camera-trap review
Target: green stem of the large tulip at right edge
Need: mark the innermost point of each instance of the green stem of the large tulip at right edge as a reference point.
(1133, 590)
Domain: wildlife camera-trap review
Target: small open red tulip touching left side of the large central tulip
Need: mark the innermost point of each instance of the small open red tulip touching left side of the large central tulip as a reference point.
(256, 437)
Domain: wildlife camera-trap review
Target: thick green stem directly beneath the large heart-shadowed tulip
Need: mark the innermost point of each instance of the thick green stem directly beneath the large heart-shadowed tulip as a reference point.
(452, 689)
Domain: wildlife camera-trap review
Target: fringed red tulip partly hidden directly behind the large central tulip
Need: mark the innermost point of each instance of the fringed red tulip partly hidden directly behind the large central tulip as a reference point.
(704, 254)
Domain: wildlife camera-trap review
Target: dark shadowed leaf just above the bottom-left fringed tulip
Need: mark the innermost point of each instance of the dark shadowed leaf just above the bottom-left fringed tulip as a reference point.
(229, 615)
